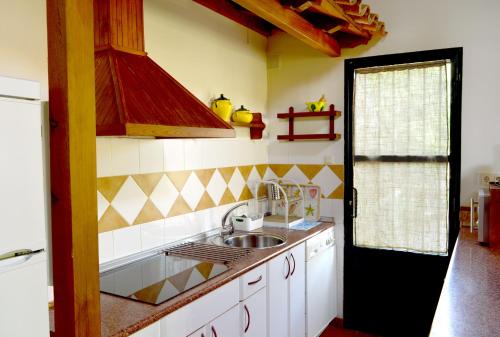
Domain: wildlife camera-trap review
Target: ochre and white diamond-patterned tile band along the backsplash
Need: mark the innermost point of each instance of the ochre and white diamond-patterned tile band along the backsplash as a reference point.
(129, 200)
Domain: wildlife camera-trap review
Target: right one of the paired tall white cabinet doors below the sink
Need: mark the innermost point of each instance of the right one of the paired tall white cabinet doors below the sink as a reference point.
(298, 291)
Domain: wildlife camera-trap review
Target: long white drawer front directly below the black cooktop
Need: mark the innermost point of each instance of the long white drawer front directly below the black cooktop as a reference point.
(187, 319)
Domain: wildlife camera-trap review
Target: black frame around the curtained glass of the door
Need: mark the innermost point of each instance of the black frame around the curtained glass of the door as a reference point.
(455, 56)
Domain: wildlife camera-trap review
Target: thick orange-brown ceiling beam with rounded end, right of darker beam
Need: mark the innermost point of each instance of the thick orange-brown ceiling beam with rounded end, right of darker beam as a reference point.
(292, 23)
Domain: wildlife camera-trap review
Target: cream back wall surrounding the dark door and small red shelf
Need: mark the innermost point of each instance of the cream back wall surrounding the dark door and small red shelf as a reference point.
(413, 25)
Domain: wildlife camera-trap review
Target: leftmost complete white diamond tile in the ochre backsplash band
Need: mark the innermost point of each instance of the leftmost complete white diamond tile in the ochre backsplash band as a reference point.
(129, 200)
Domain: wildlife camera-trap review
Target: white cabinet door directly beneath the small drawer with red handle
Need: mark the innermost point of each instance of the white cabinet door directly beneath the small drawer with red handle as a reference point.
(254, 315)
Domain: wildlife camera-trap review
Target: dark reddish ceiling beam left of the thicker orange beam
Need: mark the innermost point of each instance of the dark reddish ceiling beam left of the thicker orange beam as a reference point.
(243, 17)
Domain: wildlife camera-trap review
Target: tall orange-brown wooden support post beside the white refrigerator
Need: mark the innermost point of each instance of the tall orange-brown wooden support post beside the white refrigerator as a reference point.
(73, 168)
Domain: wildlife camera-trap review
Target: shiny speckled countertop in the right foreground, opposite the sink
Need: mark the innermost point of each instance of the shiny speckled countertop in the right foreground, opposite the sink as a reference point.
(470, 300)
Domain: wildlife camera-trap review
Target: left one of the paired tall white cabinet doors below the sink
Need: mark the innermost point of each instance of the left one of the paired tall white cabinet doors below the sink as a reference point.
(278, 272)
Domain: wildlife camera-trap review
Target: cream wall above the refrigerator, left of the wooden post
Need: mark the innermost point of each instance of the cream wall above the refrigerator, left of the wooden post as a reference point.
(23, 41)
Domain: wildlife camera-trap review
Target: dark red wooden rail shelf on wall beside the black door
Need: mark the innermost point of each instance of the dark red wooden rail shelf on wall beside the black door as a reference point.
(291, 115)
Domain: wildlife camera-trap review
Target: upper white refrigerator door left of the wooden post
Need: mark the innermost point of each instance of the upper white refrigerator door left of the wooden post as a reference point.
(22, 202)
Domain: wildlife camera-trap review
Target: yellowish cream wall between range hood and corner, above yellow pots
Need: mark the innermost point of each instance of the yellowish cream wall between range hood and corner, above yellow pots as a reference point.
(206, 52)
